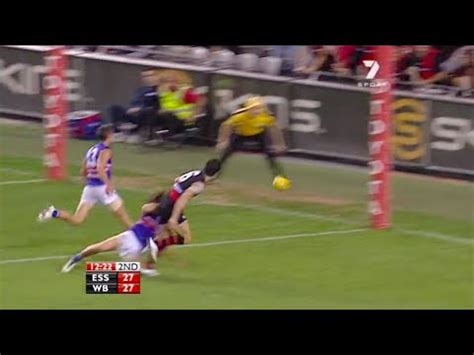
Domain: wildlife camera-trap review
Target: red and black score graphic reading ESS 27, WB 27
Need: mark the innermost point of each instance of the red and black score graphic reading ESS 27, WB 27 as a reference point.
(113, 277)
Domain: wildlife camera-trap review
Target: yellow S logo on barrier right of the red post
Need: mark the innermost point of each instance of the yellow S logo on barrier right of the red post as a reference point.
(408, 135)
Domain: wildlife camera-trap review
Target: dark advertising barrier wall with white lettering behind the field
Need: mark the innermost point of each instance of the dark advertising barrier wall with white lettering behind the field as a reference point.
(323, 119)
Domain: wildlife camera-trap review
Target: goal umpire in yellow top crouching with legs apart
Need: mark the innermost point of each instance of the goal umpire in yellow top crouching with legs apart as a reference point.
(256, 124)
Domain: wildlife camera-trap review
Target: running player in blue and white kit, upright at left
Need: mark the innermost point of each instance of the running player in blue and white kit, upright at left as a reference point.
(97, 171)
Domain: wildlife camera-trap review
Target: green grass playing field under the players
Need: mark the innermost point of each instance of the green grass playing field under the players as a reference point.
(252, 247)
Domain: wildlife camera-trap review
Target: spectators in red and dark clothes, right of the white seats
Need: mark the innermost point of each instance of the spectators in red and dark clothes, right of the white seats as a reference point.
(414, 66)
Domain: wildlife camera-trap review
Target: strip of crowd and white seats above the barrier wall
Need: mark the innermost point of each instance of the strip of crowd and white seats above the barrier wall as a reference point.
(434, 69)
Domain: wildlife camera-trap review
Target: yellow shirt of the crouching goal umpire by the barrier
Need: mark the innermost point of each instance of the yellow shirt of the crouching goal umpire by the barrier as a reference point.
(245, 124)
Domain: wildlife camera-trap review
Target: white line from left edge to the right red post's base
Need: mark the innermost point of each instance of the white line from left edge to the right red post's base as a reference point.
(200, 245)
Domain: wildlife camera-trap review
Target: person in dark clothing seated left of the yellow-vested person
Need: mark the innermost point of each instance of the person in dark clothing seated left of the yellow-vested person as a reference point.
(142, 110)
